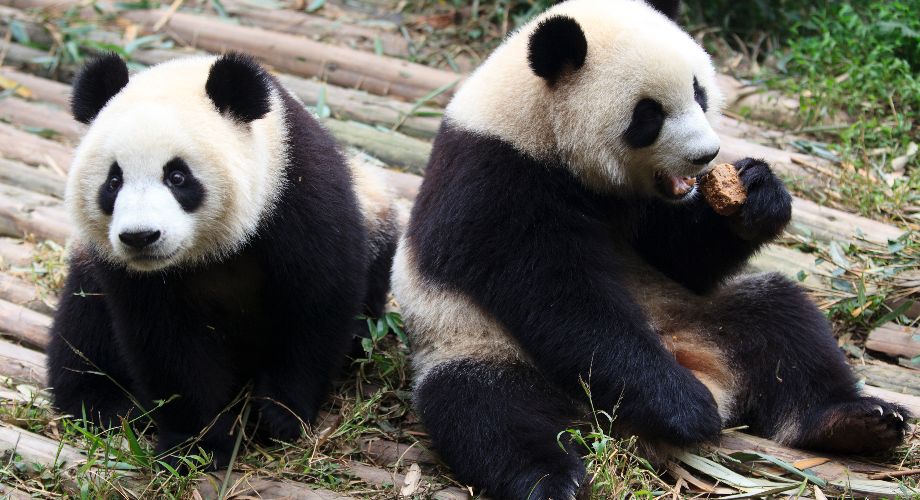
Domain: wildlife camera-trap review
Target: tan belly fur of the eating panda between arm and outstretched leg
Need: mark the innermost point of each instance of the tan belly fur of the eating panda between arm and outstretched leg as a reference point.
(688, 328)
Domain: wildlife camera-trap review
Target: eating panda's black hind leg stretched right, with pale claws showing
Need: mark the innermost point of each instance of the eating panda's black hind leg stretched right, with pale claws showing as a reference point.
(796, 386)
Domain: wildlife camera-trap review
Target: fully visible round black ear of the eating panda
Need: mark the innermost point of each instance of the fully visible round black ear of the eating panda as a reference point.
(558, 44)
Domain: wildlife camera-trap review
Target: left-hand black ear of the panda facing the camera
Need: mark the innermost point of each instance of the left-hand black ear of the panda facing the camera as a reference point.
(97, 82)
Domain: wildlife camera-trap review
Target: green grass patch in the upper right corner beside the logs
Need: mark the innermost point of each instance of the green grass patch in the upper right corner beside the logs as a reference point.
(858, 65)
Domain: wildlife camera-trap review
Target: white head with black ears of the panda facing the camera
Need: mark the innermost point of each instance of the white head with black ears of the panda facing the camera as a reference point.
(180, 162)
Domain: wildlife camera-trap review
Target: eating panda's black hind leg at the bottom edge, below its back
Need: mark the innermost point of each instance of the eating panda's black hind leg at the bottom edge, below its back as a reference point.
(497, 427)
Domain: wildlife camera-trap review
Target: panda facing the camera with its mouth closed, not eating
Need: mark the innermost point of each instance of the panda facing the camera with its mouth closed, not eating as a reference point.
(222, 242)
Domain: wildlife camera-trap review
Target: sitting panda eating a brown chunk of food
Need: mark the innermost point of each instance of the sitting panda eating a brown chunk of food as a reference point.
(555, 241)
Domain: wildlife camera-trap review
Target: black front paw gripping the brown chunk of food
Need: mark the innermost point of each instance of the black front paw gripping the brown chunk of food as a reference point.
(768, 207)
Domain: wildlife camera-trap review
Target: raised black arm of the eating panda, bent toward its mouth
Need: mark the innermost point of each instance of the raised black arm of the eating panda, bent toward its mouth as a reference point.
(693, 245)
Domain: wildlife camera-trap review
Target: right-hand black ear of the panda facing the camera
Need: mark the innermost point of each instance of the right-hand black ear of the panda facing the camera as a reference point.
(239, 87)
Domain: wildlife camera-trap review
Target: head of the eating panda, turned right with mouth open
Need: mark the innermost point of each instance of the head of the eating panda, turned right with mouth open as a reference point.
(612, 88)
